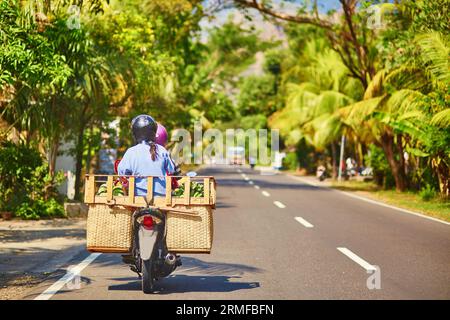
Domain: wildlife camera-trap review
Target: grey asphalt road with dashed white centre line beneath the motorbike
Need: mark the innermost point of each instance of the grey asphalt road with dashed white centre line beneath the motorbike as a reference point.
(278, 238)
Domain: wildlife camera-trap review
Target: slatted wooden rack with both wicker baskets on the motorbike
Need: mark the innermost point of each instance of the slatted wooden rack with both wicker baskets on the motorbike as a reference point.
(189, 227)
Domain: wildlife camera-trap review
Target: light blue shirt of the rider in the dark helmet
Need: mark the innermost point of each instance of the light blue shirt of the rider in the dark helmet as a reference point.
(137, 161)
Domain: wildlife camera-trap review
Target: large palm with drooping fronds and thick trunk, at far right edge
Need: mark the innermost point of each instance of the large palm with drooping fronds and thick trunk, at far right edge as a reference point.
(396, 111)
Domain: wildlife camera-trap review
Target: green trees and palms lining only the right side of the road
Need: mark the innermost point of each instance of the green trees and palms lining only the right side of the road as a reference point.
(396, 116)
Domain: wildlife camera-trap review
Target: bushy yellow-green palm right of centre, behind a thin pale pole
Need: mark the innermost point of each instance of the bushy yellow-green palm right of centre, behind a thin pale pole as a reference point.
(311, 106)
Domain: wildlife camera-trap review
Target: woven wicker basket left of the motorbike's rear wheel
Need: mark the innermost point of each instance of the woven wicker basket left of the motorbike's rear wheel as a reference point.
(109, 229)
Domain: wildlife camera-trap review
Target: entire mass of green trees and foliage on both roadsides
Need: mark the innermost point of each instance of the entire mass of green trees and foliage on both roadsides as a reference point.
(385, 89)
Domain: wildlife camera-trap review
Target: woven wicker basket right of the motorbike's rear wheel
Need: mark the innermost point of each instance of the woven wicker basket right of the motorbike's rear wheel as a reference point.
(190, 234)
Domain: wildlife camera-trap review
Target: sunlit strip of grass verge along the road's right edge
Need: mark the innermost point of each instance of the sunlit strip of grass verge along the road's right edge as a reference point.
(436, 207)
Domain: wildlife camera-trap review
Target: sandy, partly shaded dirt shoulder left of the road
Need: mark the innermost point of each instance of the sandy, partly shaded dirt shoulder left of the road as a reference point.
(31, 251)
